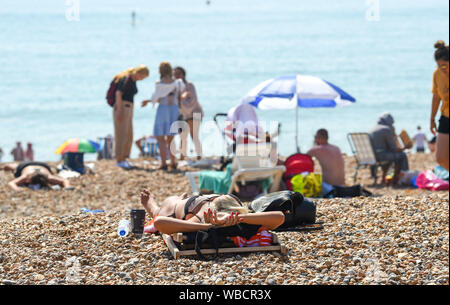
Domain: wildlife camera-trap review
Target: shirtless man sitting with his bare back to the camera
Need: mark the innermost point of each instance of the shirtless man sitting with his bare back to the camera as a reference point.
(330, 159)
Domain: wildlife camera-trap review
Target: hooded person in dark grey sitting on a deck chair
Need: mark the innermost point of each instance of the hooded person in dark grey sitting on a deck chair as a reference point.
(386, 146)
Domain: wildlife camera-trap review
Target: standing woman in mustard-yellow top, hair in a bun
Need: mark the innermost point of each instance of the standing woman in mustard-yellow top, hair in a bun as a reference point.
(440, 93)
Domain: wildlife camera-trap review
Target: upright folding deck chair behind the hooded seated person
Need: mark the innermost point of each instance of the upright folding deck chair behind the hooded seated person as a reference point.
(364, 153)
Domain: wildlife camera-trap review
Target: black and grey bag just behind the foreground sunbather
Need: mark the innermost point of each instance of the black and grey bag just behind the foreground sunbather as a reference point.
(297, 210)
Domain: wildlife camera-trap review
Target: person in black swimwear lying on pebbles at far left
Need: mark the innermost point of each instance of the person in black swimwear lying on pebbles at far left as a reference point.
(34, 174)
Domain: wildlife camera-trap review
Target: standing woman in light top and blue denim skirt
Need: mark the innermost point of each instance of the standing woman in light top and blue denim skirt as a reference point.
(167, 94)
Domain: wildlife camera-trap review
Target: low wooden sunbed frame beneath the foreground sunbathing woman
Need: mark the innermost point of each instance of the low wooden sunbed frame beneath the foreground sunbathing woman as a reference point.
(176, 247)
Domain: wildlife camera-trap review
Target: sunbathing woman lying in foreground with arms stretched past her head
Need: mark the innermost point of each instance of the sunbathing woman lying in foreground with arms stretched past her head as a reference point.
(189, 214)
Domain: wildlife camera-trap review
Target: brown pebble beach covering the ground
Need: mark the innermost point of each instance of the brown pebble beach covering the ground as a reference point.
(400, 236)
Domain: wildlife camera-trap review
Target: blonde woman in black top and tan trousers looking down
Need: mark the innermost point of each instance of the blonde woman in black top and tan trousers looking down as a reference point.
(126, 89)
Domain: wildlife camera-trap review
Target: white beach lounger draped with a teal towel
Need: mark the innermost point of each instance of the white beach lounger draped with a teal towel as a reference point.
(250, 163)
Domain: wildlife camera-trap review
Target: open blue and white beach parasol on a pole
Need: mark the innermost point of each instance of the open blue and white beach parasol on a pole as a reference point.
(294, 91)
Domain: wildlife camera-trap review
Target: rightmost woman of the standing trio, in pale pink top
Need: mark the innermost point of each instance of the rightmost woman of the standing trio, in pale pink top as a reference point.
(191, 111)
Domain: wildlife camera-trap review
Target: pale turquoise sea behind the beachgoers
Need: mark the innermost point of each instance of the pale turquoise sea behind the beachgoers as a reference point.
(57, 59)
